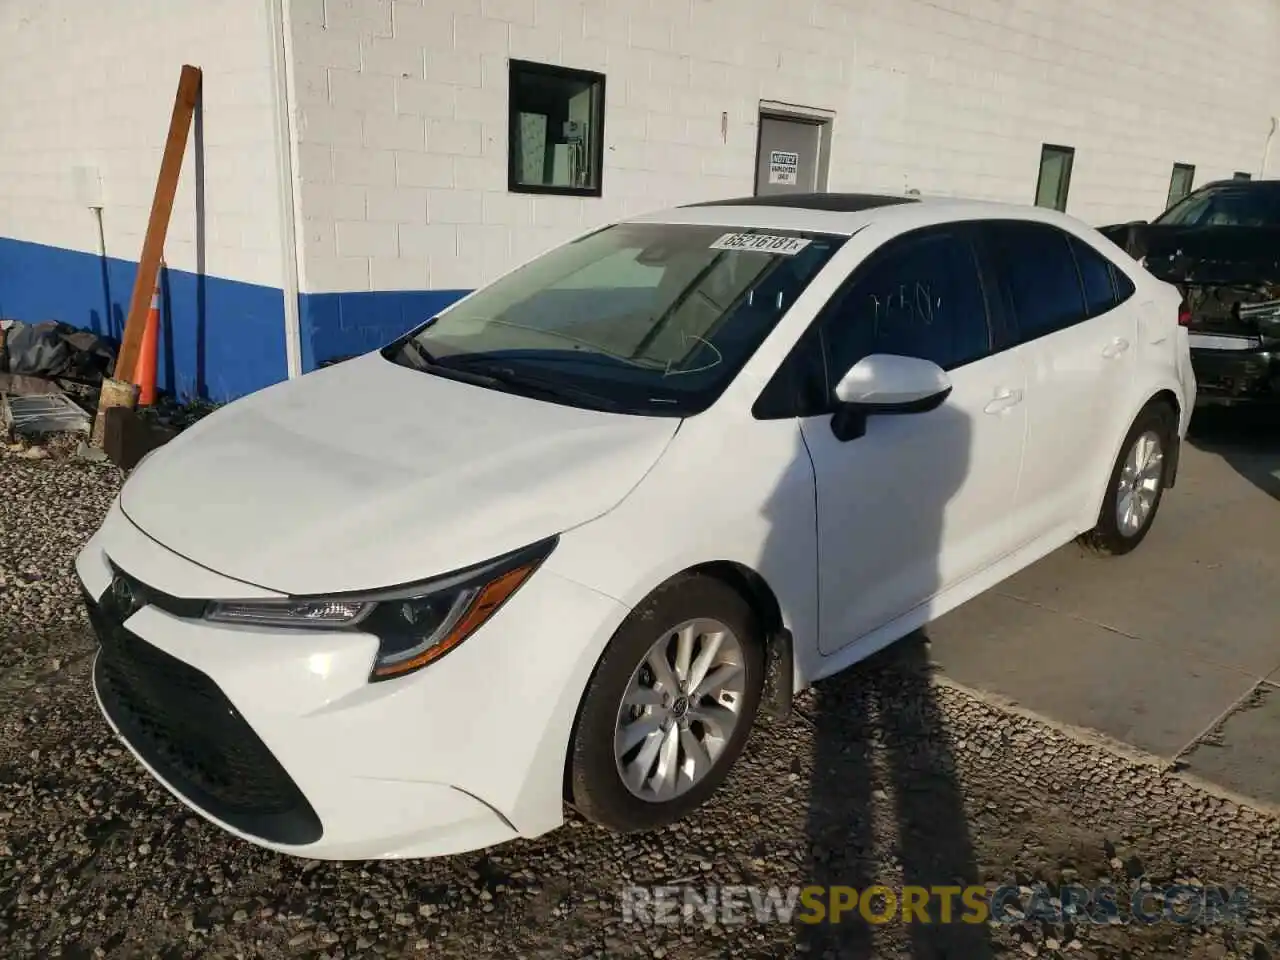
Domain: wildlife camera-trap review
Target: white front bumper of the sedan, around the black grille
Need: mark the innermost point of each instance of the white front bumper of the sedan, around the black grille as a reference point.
(278, 738)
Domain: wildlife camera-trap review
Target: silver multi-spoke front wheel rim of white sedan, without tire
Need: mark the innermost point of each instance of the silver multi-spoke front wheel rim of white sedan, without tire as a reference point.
(680, 710)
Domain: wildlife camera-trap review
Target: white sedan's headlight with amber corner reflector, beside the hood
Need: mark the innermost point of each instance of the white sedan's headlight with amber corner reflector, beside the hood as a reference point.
(414, 625)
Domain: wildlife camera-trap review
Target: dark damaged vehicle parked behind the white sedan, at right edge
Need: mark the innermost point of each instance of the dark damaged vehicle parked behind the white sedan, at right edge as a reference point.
(1220, 245)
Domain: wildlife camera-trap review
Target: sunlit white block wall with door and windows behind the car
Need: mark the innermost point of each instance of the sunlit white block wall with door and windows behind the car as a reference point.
(944, 97)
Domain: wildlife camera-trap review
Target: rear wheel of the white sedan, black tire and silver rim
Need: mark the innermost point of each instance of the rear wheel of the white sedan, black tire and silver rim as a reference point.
(1137, 483)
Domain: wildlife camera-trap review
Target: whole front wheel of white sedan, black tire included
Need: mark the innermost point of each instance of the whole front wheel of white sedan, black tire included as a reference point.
(596, 774)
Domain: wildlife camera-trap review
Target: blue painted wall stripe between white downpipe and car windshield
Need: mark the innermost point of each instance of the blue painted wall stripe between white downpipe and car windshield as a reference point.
(350, 324)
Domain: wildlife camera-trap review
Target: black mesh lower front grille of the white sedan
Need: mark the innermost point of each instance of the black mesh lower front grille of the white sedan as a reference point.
(186, 729)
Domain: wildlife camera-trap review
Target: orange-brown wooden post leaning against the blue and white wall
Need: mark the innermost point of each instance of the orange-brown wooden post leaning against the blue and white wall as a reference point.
(120, 391)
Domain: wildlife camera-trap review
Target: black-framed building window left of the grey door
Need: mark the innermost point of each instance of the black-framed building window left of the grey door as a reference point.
(556, 144)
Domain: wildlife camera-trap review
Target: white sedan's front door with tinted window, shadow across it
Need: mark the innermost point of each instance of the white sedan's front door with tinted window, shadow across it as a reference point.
(924, 500)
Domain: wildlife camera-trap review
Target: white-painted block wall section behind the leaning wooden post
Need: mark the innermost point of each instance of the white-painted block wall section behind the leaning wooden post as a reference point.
(92, 85)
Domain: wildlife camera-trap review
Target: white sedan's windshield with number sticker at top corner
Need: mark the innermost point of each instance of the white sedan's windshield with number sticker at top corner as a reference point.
(638, 318)
